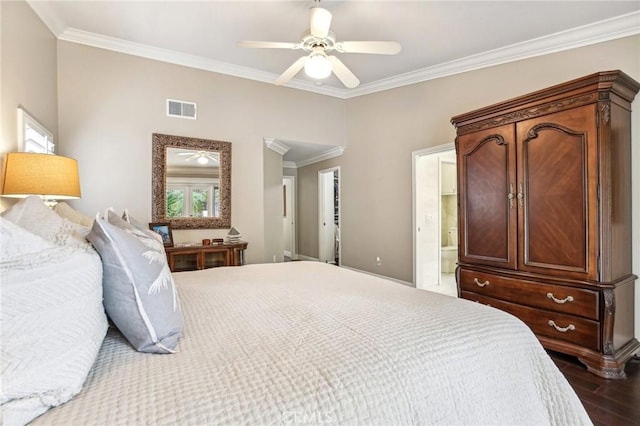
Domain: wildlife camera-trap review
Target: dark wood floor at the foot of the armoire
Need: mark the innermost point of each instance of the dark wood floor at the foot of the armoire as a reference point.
(608, 402)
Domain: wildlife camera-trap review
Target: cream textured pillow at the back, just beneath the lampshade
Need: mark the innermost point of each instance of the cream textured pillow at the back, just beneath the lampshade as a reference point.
(33, 215)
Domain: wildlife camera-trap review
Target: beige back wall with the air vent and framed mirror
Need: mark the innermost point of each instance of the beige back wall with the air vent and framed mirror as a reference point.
(111, 103)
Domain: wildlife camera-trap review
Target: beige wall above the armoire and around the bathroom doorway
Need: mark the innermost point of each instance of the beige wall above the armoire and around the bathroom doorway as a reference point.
(384, 128)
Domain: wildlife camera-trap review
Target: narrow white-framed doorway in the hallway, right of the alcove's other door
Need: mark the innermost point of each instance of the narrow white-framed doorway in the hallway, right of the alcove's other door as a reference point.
(329, 215)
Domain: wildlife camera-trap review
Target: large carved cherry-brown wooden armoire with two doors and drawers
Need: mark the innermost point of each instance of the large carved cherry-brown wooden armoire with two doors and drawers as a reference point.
(544, 222)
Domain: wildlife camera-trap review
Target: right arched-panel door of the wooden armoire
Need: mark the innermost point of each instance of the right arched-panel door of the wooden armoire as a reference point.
(556, 226)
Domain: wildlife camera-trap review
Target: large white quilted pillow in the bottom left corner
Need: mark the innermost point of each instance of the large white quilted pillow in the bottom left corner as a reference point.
(53, 322)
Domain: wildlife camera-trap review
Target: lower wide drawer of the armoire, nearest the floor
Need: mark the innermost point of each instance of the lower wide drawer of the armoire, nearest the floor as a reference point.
(568, 328)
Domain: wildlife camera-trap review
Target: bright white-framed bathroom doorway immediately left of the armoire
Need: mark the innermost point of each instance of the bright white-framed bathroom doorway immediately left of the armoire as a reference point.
(435, 219)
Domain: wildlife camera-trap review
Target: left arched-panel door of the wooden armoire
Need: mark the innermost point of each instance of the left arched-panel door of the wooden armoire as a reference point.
(487, 175)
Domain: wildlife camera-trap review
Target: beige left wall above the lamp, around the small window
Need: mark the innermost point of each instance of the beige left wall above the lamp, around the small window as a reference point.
(28, 76)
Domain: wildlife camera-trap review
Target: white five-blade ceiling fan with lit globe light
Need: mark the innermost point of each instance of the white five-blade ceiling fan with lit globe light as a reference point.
(317, 42)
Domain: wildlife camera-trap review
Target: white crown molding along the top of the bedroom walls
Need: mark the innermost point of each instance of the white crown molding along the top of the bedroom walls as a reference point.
(598, 32)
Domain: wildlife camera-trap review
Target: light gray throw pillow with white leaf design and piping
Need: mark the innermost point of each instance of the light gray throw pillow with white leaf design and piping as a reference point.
(140, 295)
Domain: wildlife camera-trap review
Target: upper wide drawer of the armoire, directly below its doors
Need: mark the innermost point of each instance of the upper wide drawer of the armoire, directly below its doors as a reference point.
(564, 299)
